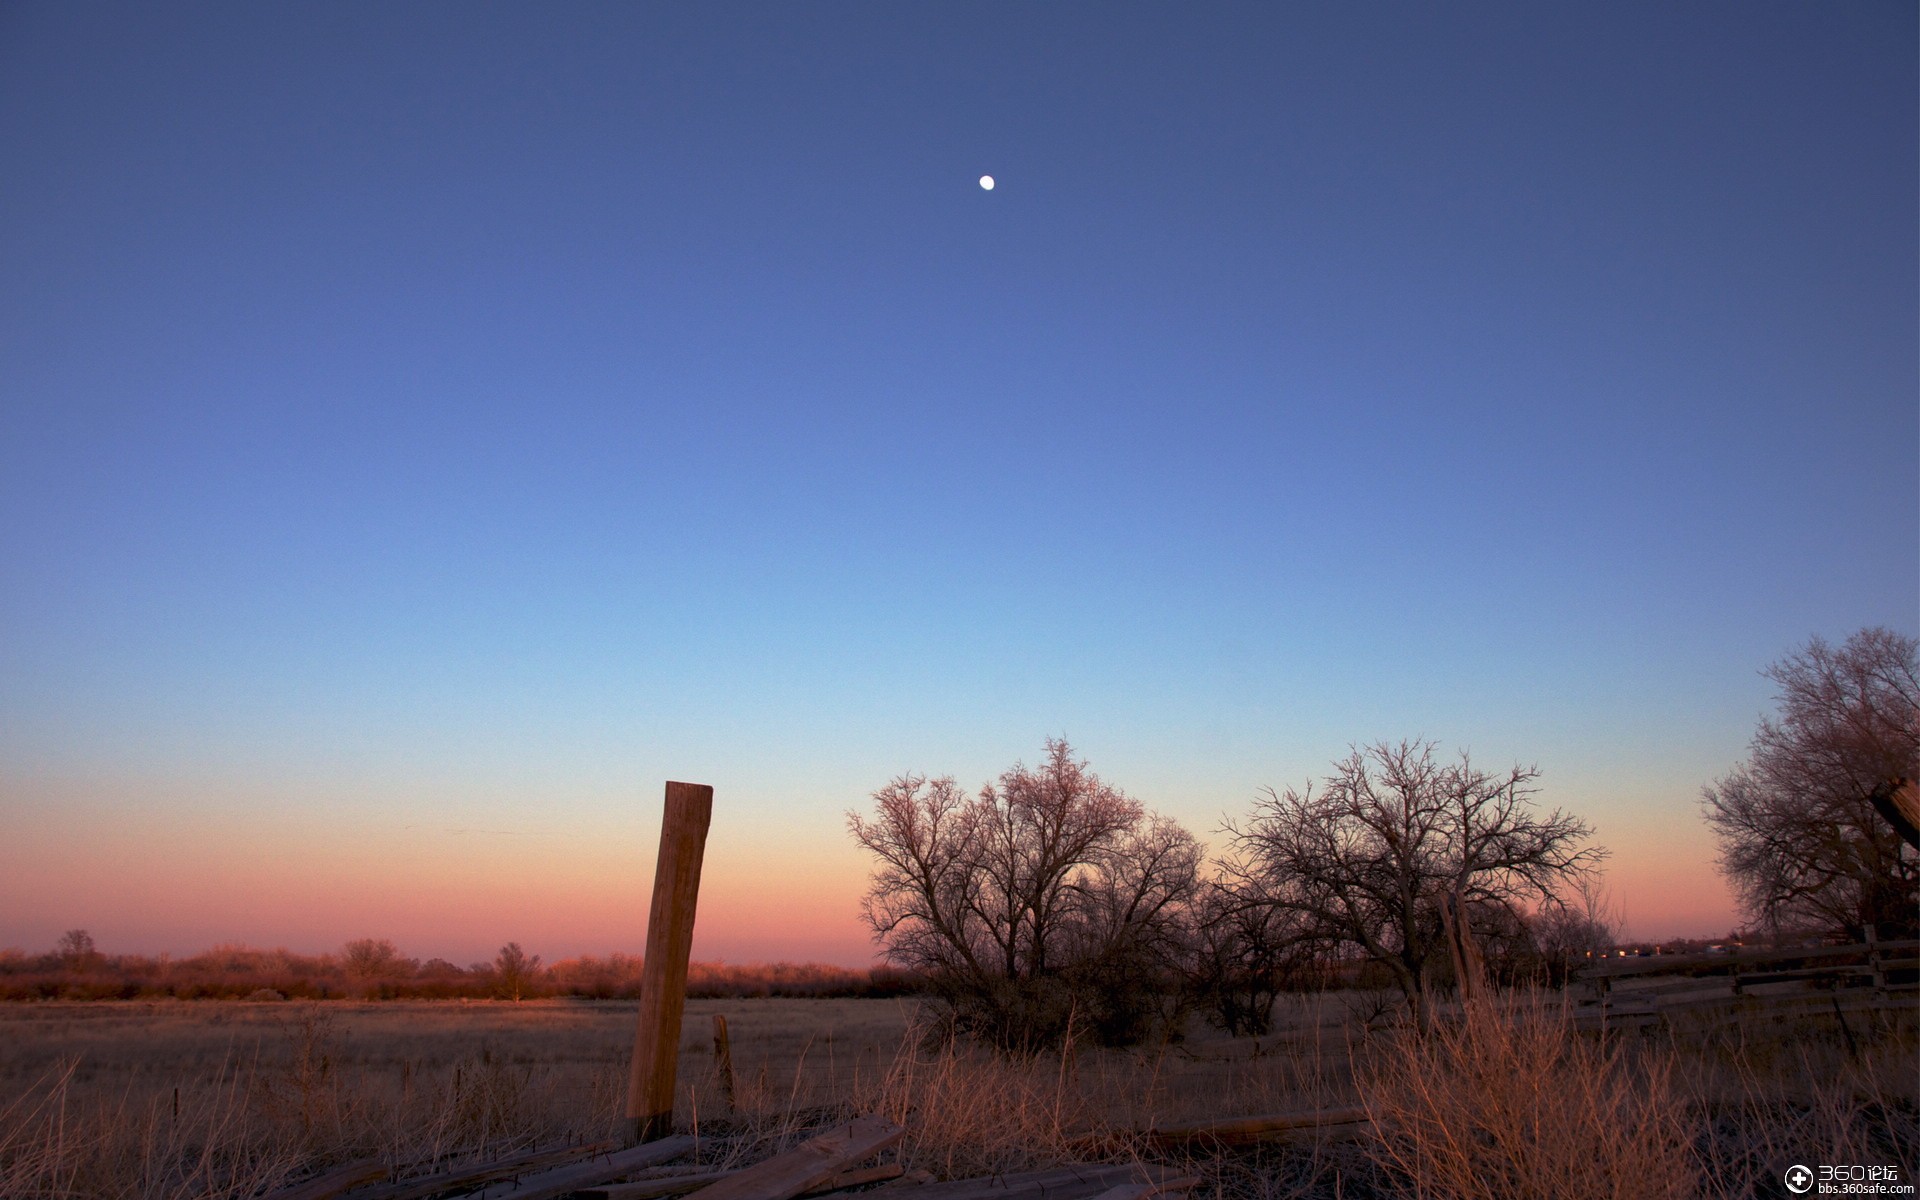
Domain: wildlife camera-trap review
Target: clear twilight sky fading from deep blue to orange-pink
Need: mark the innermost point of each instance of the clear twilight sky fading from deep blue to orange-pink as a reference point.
(429, 429)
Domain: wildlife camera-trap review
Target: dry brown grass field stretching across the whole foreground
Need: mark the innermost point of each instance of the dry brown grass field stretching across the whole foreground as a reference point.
(228, 1099)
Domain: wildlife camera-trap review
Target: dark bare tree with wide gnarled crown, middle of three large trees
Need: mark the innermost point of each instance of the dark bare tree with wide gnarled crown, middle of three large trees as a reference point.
(1395, 842)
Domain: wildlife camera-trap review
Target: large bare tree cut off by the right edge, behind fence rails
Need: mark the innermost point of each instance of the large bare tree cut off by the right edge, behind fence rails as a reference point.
(1798, 825)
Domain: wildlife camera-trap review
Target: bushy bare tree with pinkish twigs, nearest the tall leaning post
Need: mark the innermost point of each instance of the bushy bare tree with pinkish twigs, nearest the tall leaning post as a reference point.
(1013, 903)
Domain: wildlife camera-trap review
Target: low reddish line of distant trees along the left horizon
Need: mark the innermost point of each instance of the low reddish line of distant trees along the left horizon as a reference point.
(377, 971)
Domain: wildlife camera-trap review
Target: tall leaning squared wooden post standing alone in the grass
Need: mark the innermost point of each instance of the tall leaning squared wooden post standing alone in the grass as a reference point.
(663, 980)
